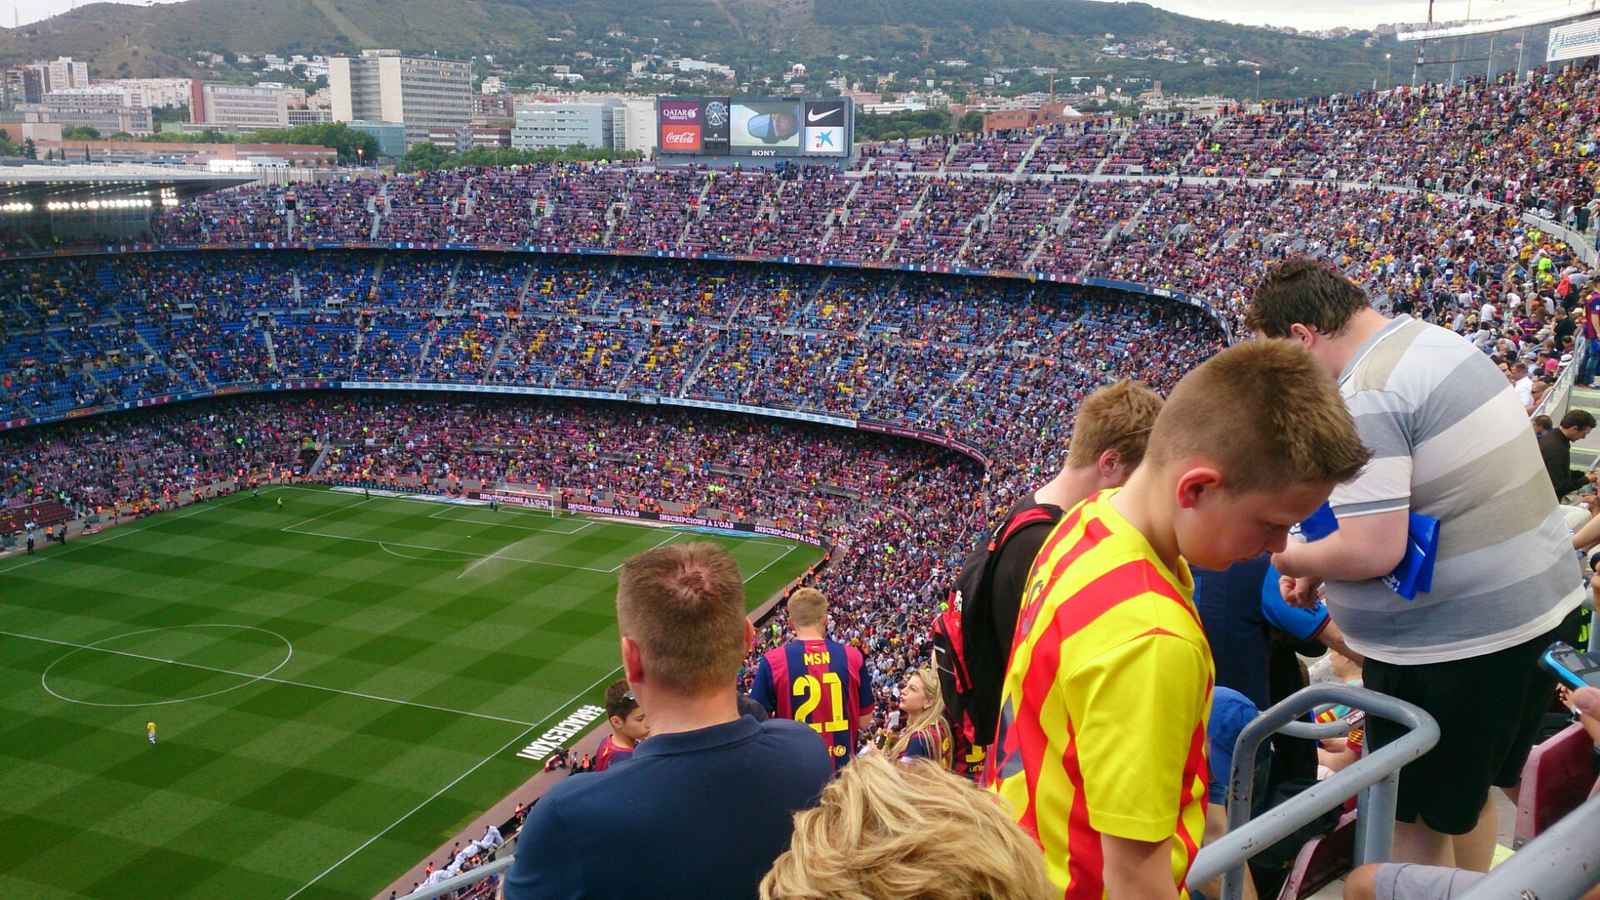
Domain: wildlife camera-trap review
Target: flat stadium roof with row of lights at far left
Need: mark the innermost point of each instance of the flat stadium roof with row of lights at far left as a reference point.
(41, 183)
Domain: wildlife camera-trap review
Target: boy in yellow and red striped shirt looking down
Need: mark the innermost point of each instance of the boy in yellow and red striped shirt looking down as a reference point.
(1102, 749)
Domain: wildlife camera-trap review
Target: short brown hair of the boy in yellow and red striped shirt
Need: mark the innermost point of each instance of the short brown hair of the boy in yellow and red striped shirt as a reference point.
(1266, 416)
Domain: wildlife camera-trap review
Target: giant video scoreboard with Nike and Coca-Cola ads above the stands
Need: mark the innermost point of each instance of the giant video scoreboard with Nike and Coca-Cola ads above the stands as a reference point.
(754, 127)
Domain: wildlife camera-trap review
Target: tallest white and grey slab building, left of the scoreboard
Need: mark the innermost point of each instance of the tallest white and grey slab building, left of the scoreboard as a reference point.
(420, 92)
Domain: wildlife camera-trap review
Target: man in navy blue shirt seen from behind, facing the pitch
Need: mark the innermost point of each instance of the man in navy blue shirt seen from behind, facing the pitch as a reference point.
(708, 802)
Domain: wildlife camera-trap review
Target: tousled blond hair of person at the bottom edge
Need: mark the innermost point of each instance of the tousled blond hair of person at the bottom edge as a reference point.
(906, 830)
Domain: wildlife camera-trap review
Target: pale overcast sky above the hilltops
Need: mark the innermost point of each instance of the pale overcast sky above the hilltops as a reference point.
(1306, 15)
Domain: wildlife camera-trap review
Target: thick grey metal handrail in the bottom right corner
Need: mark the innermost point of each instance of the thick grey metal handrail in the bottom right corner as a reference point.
(1559, 866)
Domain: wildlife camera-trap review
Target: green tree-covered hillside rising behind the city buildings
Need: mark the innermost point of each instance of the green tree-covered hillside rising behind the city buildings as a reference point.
(759, 38)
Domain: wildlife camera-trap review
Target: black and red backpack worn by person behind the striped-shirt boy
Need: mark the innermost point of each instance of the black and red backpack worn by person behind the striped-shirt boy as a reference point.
(967, 651)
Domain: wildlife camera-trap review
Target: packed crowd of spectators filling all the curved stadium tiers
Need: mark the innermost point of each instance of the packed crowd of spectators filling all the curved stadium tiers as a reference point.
(999, 364)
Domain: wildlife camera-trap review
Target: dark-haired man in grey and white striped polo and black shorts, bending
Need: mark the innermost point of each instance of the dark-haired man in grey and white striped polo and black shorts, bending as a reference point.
(1449, 441)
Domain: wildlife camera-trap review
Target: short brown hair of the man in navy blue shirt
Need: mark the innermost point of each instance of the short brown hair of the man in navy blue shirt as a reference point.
(684, 606)
